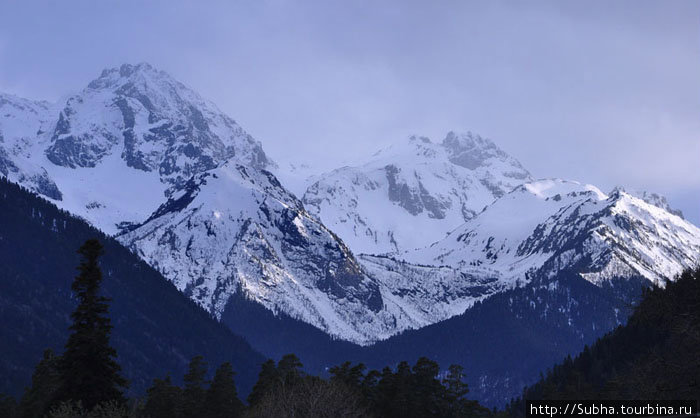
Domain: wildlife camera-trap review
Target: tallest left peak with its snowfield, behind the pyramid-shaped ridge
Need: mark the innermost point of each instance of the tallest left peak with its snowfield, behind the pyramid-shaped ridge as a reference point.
(112, 152)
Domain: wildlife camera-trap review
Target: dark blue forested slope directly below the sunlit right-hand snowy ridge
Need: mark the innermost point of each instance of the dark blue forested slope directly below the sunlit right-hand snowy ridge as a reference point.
(505, 341)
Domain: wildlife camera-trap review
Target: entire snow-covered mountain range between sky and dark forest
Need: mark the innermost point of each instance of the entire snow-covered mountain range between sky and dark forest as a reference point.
(142, 157)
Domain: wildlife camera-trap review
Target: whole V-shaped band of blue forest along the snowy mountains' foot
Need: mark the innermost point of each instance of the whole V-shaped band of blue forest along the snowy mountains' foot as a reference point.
(503, 342)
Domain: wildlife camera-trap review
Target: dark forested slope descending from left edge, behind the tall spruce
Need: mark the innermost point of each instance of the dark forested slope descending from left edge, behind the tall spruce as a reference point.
(156, 329)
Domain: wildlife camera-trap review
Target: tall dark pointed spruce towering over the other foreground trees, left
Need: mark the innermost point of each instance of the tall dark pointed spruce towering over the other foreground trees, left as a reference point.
(89, 371)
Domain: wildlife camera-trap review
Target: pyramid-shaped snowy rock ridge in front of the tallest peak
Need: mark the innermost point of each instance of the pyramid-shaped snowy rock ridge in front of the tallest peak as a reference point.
(235, 229)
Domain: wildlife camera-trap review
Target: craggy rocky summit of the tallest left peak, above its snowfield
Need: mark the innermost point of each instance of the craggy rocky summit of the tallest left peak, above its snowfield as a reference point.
(154, 121)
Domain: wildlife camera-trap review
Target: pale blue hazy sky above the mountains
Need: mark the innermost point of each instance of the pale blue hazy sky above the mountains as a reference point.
(605, 92)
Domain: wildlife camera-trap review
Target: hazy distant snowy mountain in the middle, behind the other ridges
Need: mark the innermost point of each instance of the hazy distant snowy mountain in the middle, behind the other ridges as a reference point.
(413, 193)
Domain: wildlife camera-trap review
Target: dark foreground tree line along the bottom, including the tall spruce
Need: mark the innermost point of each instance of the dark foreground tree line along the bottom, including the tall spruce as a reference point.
(86, 380)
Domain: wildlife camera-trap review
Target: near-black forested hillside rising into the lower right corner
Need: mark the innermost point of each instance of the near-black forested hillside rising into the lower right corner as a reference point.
(656, 355)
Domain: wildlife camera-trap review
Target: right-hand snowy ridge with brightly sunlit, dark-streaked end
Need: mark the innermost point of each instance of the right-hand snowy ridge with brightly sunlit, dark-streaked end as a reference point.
(541, 228)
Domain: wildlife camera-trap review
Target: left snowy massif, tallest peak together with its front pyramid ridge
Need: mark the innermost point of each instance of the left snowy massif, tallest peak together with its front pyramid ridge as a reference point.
(141, 156)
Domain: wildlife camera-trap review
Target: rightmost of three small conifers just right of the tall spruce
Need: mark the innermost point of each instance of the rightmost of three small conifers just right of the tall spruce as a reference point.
(222, 398)
